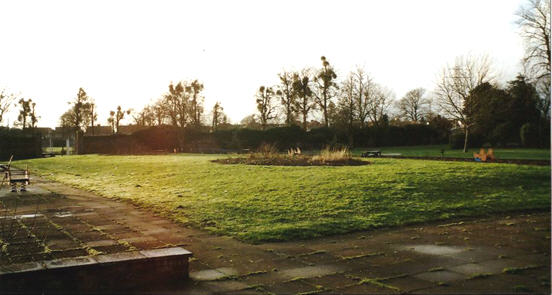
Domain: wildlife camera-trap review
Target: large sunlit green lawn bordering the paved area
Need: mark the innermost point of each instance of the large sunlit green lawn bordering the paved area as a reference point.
(261, 203)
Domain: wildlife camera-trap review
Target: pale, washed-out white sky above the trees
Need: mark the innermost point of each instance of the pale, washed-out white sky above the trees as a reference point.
(127, 52)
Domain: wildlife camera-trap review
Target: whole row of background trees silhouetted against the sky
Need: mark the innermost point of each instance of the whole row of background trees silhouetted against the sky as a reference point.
(467, 97)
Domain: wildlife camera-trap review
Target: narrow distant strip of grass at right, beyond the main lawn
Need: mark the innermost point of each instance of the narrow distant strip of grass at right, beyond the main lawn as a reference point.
(435, 151)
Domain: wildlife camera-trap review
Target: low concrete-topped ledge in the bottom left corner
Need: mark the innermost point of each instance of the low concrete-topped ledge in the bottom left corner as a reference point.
(119, 272)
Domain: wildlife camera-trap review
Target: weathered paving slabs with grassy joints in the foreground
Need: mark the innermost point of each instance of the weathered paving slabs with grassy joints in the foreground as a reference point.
(501, 254)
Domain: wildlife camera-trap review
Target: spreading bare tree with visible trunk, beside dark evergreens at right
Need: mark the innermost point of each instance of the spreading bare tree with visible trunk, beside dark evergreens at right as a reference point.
(456, 83)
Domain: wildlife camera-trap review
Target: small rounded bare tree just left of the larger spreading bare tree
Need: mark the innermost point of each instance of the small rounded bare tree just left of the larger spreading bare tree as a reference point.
(414, 105)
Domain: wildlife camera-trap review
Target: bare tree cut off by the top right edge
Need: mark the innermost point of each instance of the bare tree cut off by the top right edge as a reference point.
(534, 21)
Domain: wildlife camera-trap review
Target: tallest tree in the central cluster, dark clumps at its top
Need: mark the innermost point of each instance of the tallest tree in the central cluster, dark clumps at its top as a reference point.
(324, 88)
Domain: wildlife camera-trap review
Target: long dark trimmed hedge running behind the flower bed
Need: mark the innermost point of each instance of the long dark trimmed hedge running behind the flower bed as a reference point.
(168, 139)
